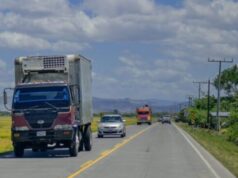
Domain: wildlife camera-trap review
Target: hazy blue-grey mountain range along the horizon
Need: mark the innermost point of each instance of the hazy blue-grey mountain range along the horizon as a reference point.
(126, 105)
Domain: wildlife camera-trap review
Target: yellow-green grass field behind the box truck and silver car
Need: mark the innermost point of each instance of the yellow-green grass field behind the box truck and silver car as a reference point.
(5, 130)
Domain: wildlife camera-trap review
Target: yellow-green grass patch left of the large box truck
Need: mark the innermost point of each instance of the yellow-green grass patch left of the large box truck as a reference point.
(5, 134)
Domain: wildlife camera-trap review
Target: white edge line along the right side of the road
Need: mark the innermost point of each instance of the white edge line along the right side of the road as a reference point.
(198, 152)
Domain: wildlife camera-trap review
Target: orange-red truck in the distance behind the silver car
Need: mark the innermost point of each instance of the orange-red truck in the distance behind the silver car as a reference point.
(144, 115)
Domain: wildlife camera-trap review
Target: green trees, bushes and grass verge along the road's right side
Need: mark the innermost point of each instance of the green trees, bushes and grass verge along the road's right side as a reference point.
(220, 139)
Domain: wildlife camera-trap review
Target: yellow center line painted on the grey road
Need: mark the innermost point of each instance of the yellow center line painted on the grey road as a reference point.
(106, 153)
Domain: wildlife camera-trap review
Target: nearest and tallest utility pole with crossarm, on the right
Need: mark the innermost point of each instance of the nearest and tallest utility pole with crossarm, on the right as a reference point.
(219, 87)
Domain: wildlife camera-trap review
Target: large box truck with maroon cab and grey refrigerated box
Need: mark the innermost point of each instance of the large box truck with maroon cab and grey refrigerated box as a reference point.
(52, 104)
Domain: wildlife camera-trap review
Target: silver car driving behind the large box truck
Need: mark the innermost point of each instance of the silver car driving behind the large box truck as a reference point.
(112, 124)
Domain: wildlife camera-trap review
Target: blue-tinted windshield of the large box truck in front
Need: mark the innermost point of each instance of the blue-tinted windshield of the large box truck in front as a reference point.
(41, 97)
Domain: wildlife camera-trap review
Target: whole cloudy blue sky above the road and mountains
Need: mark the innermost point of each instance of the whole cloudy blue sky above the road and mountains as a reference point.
(139, 48)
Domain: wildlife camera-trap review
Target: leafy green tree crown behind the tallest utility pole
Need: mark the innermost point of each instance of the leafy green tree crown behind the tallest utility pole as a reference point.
(229, 80)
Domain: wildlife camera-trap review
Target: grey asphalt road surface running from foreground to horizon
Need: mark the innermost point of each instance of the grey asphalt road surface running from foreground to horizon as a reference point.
(147, 152)
